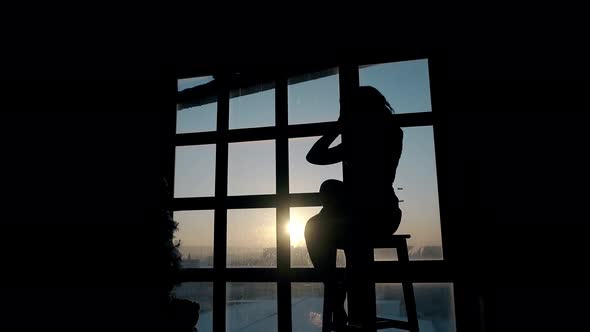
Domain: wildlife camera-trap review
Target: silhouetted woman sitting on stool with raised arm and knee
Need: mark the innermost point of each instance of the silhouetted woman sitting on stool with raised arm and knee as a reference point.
(370, 150)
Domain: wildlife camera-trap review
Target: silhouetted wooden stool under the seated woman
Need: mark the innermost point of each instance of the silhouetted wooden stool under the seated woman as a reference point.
(371, 322)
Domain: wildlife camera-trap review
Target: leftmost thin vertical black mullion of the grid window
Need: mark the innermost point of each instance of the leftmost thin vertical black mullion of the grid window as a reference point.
(220, 226)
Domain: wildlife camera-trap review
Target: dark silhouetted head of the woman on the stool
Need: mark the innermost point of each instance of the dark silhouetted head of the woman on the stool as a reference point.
(365, 104)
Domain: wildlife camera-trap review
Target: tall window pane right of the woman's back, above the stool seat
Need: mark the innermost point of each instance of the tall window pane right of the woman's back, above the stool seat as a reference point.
(416, 187)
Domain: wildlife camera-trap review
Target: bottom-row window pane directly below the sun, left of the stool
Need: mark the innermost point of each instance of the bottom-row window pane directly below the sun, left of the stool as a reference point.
(307, 301)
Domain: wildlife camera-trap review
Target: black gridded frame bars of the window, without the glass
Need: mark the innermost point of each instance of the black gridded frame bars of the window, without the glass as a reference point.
(427, 271)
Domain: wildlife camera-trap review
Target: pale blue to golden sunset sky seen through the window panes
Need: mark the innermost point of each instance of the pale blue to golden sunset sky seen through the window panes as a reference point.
(251, 168)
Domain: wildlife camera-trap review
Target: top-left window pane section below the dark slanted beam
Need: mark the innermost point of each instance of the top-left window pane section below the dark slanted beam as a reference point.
(197, 119)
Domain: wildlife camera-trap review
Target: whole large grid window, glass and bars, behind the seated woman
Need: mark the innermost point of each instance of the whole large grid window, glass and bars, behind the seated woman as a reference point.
(244, 191)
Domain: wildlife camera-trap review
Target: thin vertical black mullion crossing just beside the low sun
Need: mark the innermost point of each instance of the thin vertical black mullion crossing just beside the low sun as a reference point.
(282, 183)
